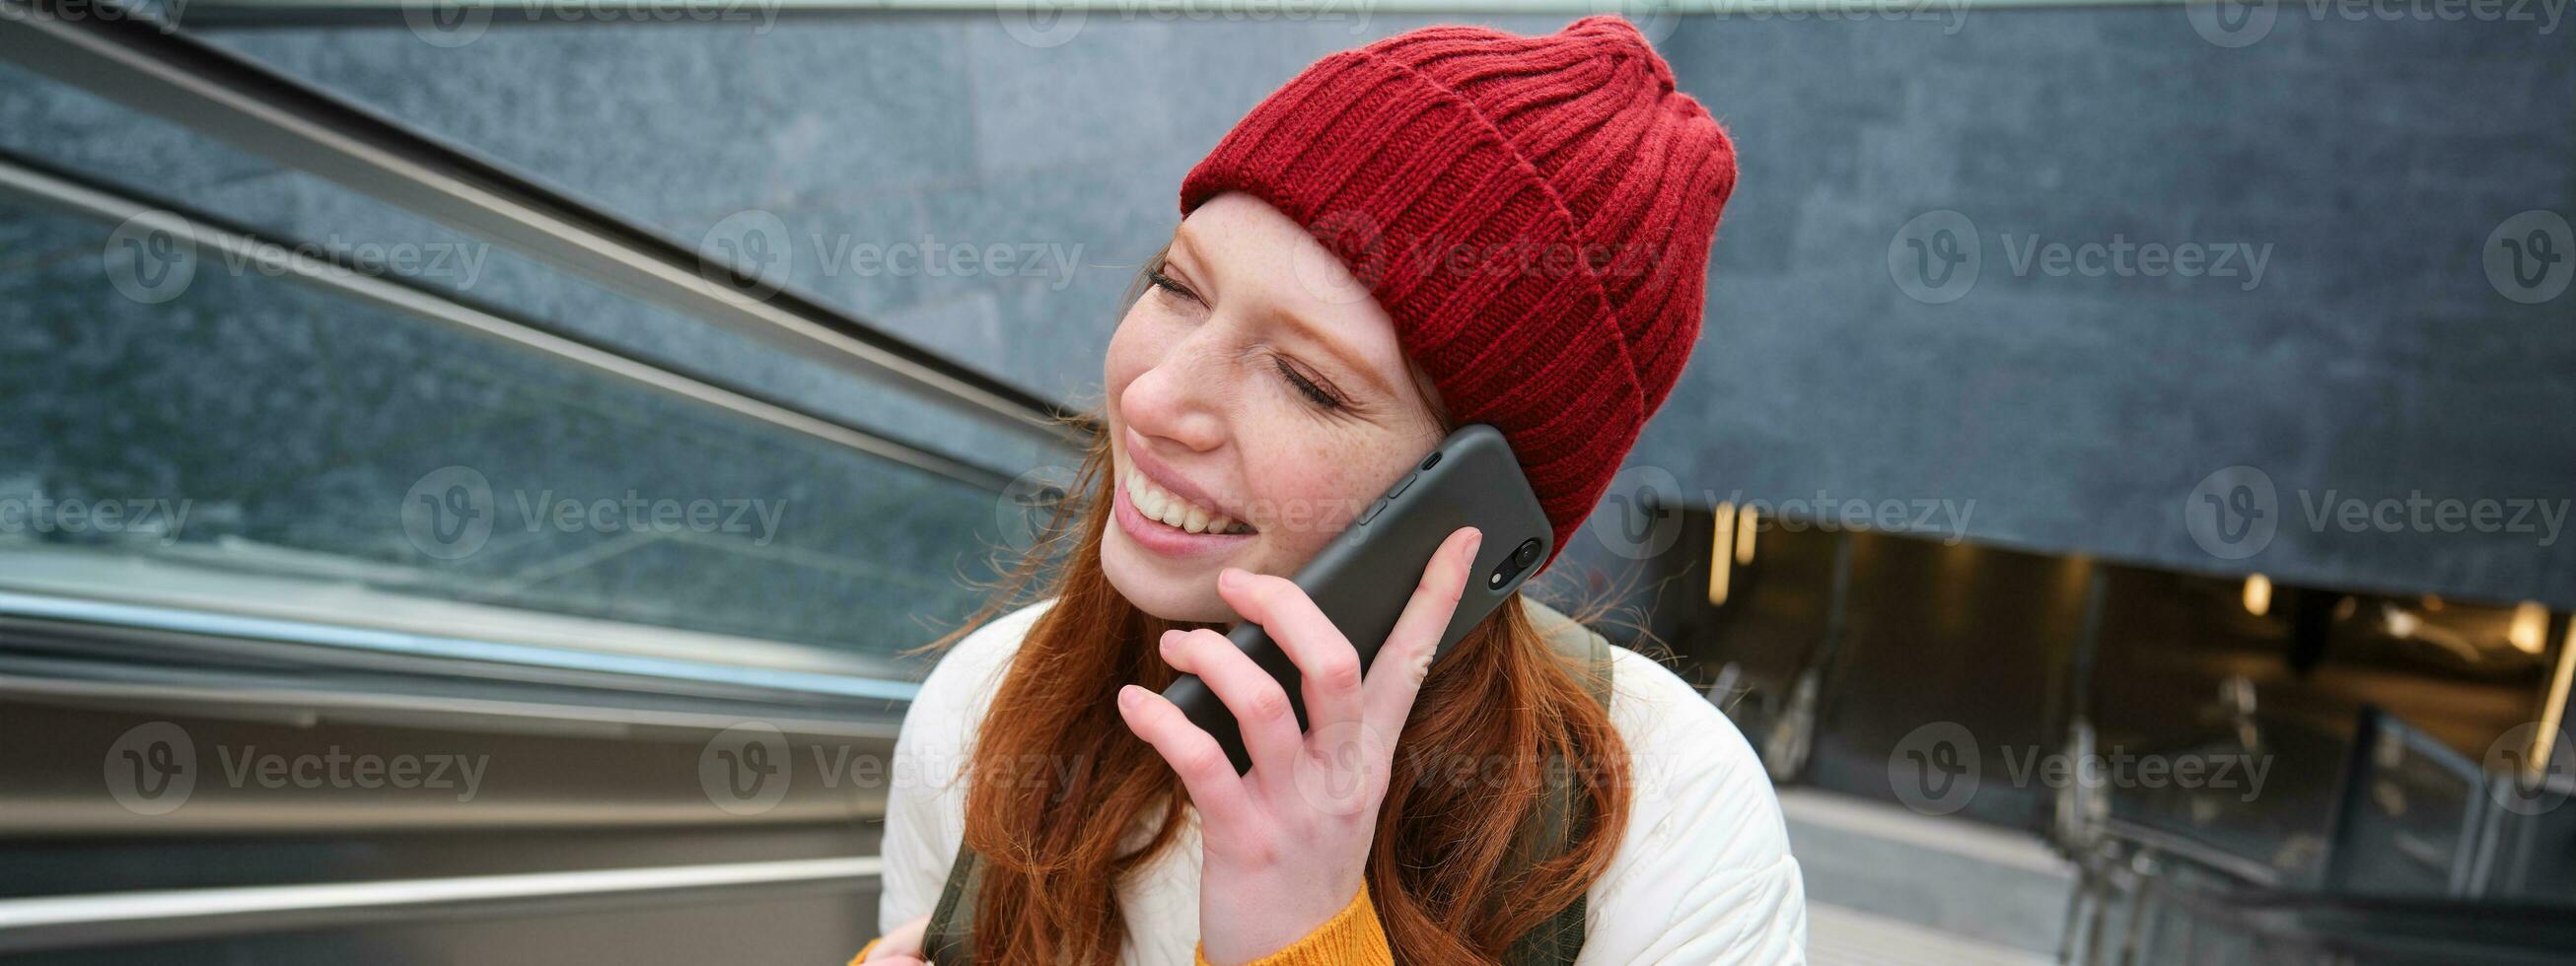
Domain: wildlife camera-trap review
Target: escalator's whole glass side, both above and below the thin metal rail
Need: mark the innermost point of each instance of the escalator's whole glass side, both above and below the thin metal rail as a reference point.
(207, 431)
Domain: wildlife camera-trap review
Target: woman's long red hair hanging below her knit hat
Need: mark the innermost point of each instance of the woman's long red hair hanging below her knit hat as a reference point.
(1060, 779)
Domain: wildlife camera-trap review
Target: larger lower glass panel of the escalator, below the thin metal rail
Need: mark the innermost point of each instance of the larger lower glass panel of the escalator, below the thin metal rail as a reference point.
(256, 429)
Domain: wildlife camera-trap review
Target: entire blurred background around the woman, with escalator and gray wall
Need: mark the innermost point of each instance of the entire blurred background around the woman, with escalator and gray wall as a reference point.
(473, 468)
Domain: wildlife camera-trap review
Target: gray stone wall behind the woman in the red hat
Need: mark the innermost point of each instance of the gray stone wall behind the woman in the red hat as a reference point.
(2044, 406)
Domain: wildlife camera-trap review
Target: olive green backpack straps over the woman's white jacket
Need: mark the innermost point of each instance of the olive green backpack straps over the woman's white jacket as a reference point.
(1552, 944)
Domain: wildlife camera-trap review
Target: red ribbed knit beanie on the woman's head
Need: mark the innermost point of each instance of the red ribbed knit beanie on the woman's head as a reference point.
(1531, 210)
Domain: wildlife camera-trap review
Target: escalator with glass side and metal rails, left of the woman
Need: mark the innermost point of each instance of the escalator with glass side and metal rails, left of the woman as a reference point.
(478, 578)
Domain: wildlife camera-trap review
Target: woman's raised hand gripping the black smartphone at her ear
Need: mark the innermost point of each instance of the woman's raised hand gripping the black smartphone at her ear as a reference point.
(1287, 844)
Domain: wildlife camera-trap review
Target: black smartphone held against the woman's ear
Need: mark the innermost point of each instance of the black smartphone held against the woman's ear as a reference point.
(1364, 578)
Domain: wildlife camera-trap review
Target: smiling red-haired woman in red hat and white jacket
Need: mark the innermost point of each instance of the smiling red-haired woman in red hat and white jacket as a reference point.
(1441, 228)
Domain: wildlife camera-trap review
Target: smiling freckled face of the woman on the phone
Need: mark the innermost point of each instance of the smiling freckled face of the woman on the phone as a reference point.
(1258, 401)
